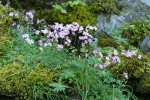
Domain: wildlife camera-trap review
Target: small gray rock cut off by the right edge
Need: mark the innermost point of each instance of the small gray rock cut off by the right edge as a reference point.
(145, 45)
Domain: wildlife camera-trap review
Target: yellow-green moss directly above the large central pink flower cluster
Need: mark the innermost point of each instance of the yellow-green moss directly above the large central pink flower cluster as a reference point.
(78, 13)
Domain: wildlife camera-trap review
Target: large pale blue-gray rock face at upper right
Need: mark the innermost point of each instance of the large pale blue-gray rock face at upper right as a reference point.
(134, 9)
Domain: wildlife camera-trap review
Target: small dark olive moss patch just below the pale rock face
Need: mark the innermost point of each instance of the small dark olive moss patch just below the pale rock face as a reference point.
(106, 41)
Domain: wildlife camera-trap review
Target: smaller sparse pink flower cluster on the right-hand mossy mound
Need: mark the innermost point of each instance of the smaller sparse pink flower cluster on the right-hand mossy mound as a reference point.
(114, 58)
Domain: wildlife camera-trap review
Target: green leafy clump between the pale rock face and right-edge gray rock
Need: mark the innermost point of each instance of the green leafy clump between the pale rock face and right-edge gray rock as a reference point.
(136, 30)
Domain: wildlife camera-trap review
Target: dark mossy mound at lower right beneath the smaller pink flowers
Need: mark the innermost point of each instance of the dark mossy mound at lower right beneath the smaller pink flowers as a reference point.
(138, 72)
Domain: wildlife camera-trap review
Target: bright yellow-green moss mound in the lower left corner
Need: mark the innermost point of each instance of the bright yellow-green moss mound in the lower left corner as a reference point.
(18, 80)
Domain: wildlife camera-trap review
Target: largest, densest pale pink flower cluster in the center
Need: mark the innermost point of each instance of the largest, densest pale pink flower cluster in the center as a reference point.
(65, 35)
